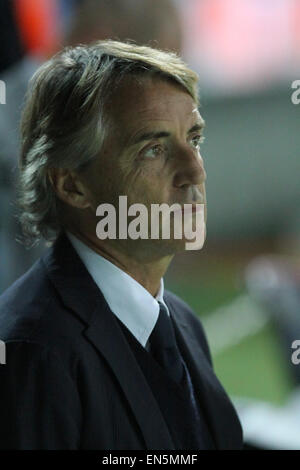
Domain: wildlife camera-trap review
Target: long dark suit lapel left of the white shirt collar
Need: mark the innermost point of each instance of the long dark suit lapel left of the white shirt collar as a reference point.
(80, 294)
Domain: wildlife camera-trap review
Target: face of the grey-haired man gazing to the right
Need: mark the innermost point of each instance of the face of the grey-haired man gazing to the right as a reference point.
(151, 154)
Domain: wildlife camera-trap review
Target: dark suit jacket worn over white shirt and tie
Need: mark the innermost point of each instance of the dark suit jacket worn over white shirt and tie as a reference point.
(71, 380)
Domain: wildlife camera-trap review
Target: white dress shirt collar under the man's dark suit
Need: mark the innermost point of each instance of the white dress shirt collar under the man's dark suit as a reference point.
(134, 306)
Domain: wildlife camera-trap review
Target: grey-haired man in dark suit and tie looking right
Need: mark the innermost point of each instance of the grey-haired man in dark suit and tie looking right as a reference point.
(85, 366)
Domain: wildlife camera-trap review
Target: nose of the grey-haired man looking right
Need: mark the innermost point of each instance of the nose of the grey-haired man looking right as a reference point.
(189, 169)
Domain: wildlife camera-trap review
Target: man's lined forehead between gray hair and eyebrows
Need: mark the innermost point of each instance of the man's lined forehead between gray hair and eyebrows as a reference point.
(151, 102)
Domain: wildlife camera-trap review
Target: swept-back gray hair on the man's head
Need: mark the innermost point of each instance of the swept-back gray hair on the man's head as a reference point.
(63, 123)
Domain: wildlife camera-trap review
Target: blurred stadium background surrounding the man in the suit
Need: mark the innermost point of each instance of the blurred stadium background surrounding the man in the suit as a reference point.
(245, 283)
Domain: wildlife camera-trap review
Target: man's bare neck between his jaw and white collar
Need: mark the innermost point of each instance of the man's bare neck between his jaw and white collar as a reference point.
(147, 273)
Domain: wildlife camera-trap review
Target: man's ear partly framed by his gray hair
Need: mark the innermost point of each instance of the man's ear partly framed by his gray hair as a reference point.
(69, 187)
